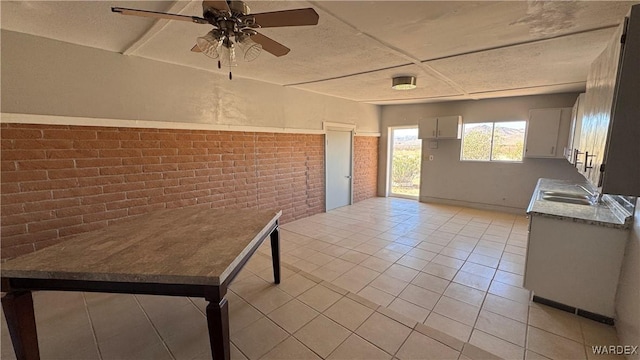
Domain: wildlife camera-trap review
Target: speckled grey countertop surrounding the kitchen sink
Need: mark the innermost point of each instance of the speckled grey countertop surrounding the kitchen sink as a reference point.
(607, 213)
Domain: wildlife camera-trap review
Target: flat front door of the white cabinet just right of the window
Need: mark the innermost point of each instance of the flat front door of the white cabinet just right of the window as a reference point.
(542, 133)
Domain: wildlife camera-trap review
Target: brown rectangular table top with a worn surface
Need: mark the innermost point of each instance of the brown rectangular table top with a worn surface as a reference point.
(192, 246)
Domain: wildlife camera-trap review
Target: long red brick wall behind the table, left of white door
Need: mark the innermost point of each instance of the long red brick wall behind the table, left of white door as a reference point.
(63, 180)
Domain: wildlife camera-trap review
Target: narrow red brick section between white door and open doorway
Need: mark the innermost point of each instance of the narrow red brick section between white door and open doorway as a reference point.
(365, 174)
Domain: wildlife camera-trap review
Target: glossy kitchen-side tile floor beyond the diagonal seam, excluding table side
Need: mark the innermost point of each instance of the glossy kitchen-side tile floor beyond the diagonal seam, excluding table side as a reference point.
(457, 270)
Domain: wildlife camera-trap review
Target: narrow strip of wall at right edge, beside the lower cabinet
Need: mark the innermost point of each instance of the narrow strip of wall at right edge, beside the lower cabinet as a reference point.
(628, 295)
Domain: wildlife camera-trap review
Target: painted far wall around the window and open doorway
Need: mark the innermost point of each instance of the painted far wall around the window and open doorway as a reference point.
(479, 184)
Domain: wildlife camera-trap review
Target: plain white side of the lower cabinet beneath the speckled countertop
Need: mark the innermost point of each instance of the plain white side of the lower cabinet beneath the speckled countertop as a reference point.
(574, 263)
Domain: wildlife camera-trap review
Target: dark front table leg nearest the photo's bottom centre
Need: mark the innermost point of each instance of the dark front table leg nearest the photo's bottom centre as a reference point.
(218, 322)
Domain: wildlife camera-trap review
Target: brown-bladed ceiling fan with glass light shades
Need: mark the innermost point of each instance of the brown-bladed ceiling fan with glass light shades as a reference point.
(234, 27)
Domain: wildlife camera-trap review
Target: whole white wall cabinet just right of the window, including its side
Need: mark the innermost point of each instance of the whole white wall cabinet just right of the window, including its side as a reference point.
(547, 132)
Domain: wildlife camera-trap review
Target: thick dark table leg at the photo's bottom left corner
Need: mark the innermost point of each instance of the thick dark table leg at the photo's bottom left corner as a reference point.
(21, 321)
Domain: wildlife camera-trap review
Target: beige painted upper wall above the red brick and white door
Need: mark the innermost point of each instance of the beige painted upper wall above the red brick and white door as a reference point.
(49, 77)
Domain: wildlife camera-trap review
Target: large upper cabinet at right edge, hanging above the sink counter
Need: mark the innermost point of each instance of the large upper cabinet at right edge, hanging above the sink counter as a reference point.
(610, 138)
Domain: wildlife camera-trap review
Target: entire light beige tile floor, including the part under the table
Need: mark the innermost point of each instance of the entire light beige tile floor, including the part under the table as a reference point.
(381, 279)
